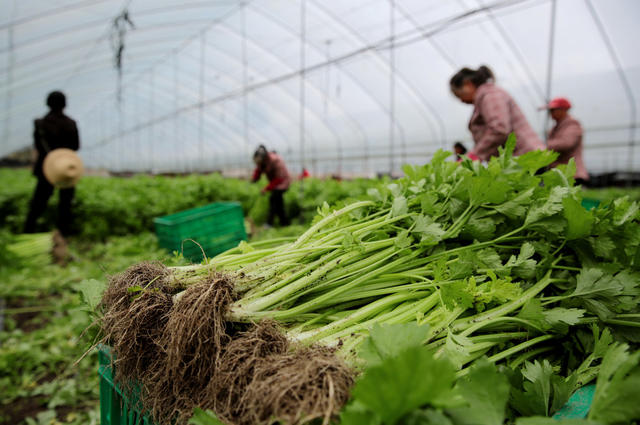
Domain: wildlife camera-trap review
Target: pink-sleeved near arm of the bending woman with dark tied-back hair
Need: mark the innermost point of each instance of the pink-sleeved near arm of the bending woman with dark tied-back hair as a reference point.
(494, 109)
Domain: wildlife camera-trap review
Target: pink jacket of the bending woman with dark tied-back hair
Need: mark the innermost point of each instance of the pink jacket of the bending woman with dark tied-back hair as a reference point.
(494, 117)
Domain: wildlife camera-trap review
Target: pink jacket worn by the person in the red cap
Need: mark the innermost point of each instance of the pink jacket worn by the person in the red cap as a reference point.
(566, 139)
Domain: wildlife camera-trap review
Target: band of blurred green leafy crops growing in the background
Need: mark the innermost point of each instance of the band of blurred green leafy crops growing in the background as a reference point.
(106, 206)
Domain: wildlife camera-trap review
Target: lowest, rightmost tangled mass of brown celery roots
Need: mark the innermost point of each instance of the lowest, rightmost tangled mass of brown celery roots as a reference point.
(262, 376)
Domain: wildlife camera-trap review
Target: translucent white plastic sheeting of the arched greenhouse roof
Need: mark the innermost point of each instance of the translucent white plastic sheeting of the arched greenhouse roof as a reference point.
(357, 86)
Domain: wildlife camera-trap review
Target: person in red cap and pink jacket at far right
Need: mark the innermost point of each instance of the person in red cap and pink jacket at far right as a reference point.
(566, 137)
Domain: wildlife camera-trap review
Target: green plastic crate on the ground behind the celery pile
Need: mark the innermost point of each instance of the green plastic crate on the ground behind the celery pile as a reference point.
(213, 229)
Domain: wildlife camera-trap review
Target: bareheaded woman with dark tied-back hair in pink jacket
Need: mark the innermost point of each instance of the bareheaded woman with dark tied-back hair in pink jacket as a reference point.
(495, 114)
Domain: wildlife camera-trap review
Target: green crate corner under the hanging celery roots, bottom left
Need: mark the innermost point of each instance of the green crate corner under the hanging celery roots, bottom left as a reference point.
(116, 408)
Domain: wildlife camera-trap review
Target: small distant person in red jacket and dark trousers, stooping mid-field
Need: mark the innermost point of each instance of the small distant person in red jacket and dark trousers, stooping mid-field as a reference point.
(271, 164)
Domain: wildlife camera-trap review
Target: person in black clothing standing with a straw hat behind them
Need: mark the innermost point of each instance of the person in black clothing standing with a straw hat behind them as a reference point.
(54, 130)
